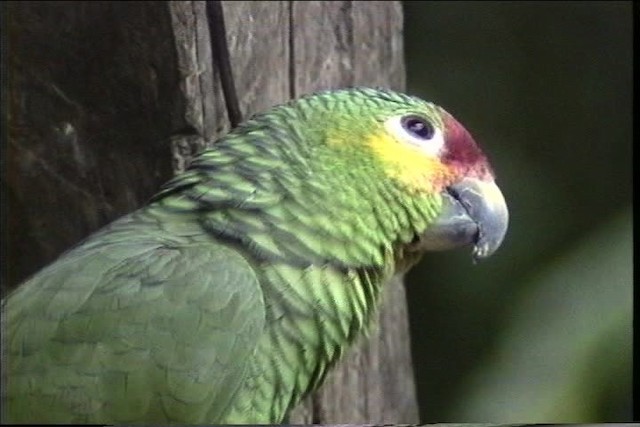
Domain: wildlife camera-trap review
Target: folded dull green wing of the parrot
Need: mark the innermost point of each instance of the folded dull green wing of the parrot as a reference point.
(132, 331)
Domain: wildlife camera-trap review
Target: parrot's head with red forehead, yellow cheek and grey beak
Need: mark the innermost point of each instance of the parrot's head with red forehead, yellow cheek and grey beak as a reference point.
(432, 162)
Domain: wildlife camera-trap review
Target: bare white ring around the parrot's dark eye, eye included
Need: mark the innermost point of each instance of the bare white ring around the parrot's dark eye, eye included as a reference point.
(417, 131)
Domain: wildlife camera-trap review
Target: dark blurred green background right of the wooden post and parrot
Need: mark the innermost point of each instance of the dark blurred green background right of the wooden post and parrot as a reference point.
(542, 331)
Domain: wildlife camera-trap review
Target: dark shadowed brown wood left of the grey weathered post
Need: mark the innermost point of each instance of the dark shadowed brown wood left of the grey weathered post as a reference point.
(92, 102)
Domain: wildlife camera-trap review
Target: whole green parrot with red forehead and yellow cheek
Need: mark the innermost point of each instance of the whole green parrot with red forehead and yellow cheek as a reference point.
(228, 297)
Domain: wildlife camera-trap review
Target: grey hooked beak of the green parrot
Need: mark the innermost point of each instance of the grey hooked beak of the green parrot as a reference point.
(473, 212)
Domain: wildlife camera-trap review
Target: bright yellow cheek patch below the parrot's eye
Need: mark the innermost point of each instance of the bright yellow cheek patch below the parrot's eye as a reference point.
(417, 170)
